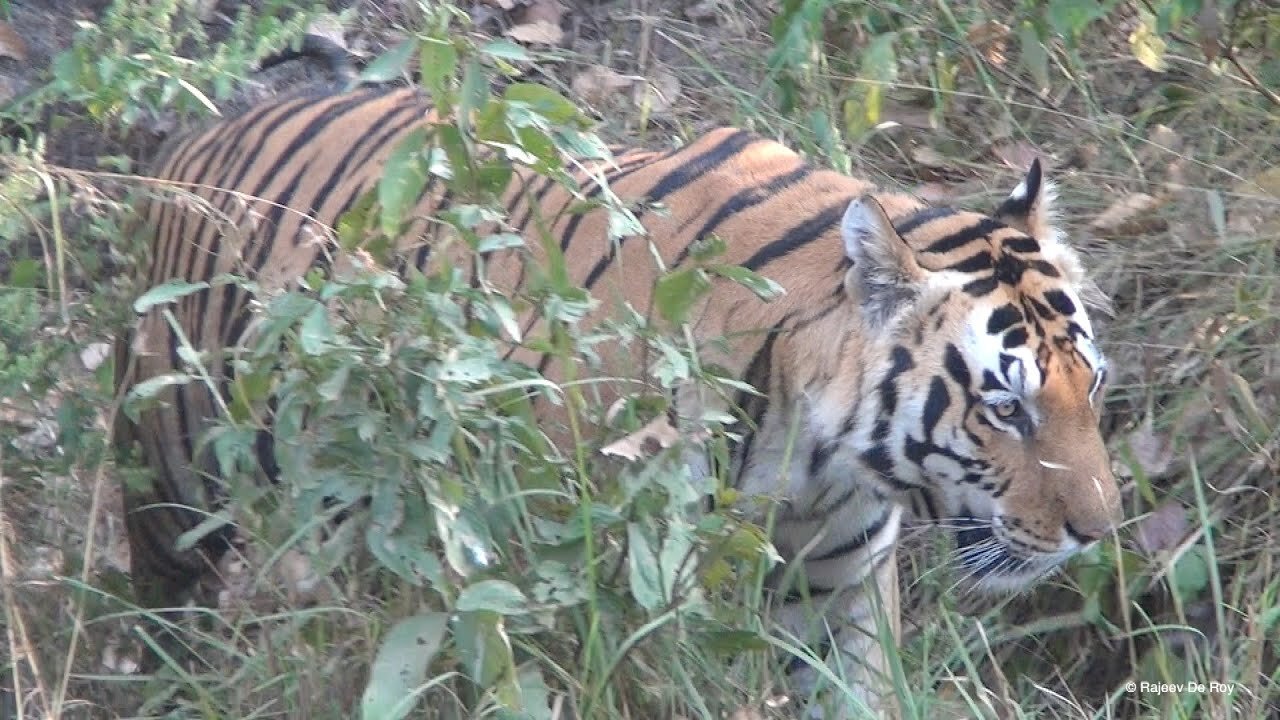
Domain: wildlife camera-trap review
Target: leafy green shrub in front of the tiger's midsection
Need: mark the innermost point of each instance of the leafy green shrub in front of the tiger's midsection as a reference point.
(392, 403)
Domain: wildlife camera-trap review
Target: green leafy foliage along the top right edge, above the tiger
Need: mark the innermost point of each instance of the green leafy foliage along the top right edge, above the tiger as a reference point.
(821, 76)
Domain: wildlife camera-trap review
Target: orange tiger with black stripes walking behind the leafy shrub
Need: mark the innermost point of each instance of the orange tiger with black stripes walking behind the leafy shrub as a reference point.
(922, 357)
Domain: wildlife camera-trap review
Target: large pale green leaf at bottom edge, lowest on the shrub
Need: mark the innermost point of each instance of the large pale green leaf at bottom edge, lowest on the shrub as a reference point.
(400, 669)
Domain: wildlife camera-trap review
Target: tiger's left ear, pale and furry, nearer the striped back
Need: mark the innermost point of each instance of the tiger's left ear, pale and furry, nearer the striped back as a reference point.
(886, 274)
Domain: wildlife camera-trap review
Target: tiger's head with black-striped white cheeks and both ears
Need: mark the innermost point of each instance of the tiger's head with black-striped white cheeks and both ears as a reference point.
(991, 390)
